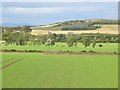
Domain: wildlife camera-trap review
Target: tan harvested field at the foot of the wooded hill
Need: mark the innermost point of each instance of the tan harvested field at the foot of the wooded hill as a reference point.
(106, 29)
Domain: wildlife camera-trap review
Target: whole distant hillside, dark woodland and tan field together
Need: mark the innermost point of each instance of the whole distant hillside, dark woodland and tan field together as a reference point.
(78, 27)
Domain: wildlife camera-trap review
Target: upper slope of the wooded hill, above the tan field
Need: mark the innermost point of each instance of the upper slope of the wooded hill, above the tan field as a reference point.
(76, 25)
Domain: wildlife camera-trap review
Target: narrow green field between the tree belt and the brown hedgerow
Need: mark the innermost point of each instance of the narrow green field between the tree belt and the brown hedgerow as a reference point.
(107, 47)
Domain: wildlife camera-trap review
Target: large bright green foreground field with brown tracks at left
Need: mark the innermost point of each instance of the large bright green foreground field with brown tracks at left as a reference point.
(60, 71)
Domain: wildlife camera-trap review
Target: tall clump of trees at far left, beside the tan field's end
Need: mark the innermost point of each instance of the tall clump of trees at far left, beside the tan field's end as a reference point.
(16, 35)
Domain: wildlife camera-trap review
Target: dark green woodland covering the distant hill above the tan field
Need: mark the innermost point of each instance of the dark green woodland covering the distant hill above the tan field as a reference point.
(85, 24)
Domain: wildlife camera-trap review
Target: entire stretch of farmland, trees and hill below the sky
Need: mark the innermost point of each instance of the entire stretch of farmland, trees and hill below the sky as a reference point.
(70, 54)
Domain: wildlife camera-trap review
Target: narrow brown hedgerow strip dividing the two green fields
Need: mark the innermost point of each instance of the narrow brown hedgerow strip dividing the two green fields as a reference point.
(62, 52)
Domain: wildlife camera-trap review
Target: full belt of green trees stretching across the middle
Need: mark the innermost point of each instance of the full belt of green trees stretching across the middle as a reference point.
(22, 36)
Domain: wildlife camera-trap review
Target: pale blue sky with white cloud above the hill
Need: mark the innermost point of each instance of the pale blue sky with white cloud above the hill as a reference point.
(44, 13)
